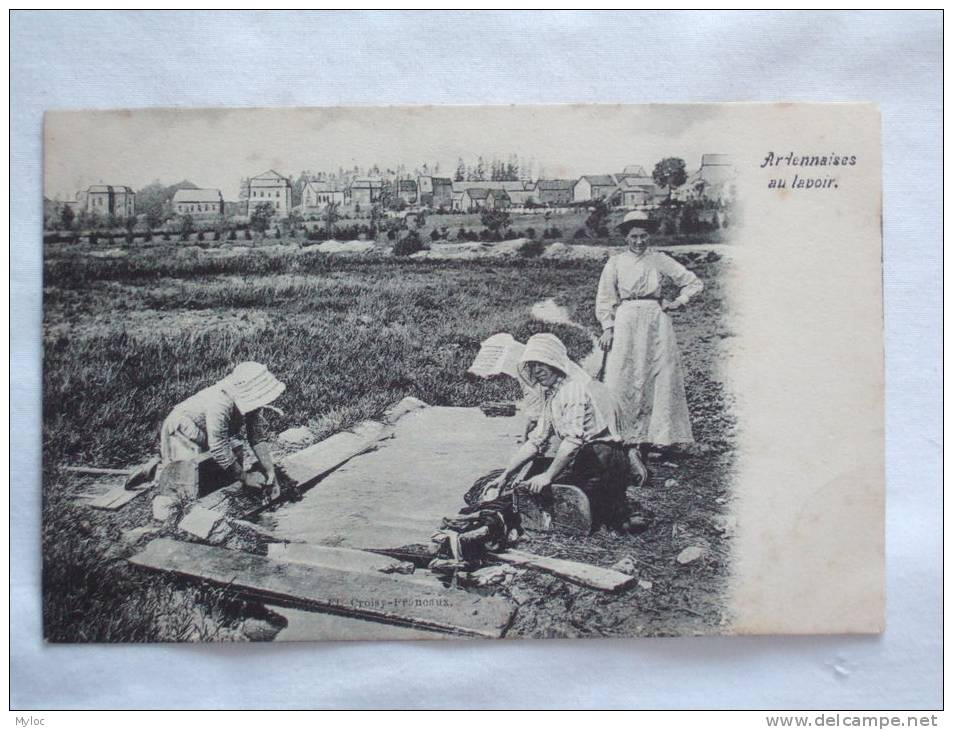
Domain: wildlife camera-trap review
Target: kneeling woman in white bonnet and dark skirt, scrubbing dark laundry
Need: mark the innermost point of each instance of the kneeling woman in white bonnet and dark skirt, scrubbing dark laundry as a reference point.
(585, 417)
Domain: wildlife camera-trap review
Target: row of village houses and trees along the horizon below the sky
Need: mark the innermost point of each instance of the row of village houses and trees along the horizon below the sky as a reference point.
(407, 209)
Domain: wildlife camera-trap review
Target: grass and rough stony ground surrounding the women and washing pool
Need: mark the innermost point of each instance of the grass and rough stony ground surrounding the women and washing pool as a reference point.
(126, 339)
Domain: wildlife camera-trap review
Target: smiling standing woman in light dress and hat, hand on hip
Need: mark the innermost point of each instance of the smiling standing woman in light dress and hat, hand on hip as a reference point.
(643, 365)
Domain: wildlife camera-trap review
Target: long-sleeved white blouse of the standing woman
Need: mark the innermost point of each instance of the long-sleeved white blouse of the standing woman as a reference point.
(627, 276)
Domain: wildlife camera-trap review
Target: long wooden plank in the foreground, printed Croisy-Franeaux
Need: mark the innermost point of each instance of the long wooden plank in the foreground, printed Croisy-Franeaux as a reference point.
(380, 597)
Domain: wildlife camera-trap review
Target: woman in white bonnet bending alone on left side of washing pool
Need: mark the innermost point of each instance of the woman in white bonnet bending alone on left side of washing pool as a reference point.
(210, 419)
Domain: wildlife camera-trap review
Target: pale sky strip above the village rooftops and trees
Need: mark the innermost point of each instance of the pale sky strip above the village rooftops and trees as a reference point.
(216, 148)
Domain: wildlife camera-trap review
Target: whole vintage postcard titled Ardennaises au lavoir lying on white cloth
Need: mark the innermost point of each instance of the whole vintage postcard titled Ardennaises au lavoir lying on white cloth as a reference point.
(462, 372)
